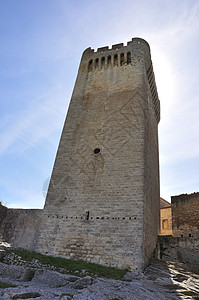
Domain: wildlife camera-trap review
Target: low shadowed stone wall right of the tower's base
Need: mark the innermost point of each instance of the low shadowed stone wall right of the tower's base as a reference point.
(182, 249)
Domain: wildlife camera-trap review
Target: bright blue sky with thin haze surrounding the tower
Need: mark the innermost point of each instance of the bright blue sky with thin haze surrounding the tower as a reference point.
(41, 43)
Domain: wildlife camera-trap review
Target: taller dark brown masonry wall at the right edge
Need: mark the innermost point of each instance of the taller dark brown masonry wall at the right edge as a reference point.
(185, 215)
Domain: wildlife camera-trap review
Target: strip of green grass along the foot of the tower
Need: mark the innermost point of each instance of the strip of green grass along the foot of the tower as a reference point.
(72, 265)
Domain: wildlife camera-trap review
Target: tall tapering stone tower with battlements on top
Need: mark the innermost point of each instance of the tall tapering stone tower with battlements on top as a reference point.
(103, 200)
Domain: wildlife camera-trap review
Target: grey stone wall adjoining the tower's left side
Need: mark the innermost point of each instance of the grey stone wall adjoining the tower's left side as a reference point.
(19, 227)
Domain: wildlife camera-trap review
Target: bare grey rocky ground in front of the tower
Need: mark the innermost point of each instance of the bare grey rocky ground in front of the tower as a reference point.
(31, 280)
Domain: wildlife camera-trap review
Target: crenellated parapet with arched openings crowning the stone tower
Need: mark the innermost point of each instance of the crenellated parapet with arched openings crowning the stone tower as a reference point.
(120, 56)
